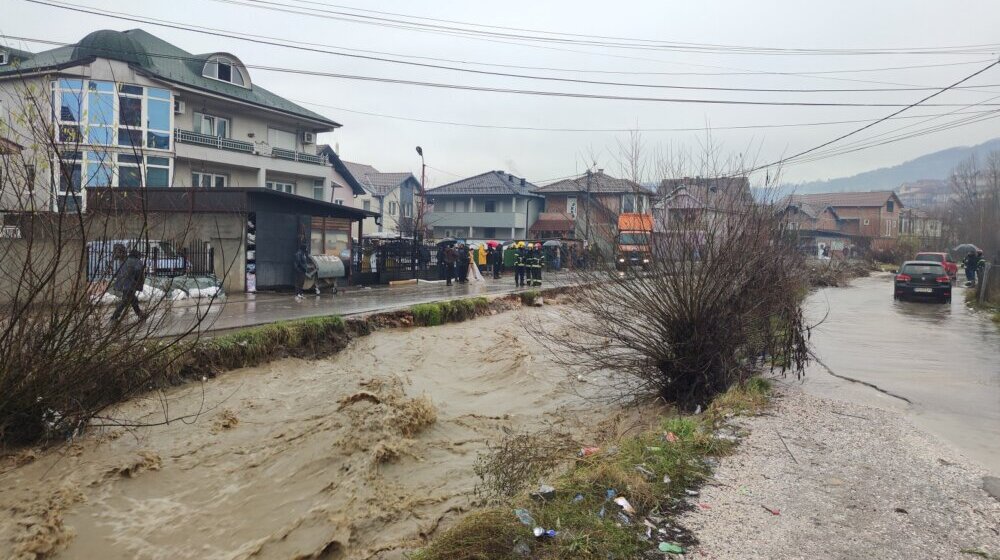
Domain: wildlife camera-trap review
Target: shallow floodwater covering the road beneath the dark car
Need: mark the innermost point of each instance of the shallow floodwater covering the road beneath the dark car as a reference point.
(944, 359)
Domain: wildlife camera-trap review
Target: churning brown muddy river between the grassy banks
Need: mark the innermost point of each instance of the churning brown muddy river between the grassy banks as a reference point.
(357, 456)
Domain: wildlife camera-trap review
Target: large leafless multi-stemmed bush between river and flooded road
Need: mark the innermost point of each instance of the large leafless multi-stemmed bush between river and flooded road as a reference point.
(718, 298)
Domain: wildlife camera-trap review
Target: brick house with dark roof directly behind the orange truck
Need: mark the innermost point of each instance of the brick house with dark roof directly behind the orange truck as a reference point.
(587, 208)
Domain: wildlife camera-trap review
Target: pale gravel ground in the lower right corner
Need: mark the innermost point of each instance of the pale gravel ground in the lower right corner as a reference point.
(854, 482)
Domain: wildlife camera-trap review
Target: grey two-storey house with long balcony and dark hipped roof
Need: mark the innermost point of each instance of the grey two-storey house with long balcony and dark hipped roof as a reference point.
(491, 205)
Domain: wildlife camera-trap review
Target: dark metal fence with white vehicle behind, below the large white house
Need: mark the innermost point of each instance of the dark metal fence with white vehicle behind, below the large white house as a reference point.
(162, 259)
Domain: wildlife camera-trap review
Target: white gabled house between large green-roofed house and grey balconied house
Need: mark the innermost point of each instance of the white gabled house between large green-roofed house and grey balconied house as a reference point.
(394, 196)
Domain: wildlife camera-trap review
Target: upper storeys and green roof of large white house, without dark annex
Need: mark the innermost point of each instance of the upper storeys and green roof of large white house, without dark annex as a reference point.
(133, 110)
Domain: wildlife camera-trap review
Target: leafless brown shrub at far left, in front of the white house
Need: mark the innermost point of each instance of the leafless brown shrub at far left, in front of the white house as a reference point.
(62, 358)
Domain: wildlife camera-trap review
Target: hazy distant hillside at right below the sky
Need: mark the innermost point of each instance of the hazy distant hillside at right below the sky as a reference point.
(937, 165)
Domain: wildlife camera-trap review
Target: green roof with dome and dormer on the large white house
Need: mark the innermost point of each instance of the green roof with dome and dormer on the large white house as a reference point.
(159, 59)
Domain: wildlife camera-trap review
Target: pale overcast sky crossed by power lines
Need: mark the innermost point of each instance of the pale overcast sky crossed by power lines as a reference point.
(455, 151)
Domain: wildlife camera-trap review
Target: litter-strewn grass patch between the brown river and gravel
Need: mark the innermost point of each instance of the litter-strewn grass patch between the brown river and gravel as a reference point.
(672, 459)
